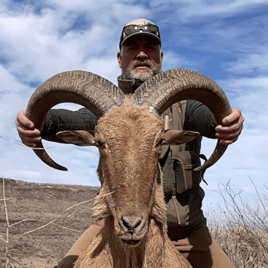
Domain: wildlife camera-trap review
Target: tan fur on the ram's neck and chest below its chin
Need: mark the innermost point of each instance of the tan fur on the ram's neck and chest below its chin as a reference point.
(106, 251)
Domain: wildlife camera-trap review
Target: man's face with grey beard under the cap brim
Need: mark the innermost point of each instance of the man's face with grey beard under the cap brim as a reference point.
(140, 57)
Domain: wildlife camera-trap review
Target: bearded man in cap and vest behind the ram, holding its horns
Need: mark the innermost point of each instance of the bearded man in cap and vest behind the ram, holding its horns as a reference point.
(140, 57)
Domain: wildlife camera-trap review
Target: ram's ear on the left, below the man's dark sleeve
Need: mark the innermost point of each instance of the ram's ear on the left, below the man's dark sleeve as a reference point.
(77, 137)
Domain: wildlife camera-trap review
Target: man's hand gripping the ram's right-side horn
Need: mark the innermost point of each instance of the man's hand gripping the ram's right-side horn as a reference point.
(231, 127)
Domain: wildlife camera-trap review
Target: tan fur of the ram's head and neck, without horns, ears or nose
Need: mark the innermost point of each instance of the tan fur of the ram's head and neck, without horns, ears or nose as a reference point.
(131, 185)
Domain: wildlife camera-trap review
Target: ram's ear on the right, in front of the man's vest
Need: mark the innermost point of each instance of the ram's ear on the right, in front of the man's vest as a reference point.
(177, 137)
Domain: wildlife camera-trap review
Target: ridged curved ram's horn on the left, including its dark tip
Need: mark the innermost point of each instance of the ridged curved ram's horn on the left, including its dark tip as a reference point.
(88, 89)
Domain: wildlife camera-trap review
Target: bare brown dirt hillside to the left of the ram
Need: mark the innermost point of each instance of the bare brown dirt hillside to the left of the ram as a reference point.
(31, 206)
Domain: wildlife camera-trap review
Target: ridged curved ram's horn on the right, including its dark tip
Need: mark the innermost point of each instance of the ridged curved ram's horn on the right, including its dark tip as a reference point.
(166, 88)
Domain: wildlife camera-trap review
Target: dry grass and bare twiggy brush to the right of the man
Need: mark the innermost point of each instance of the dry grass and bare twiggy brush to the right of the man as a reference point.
(241, 229)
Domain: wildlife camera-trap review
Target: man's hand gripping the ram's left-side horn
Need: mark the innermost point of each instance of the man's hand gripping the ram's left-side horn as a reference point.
(28, 133)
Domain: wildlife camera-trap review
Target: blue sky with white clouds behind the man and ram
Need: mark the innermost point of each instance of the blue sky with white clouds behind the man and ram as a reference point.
(225, 40)
